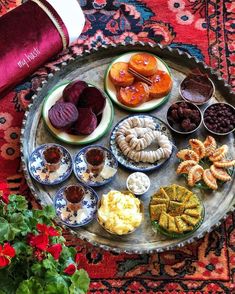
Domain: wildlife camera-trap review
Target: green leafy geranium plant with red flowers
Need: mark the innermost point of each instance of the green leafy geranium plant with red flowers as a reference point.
(33, 255)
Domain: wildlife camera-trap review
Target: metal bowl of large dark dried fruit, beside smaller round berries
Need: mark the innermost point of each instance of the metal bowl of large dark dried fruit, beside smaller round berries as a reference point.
(184, 117)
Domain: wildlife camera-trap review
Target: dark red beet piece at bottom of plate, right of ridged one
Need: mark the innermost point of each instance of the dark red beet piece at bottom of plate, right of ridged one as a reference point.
(87, 121)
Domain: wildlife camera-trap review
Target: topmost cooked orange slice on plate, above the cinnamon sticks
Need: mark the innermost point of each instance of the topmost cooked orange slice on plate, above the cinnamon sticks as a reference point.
(144, 63)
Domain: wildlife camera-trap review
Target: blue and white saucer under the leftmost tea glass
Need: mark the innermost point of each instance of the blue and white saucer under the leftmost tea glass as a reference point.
(39, 172)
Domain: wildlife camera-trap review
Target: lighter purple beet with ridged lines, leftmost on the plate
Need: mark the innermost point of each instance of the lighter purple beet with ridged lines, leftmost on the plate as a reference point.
(63, 114)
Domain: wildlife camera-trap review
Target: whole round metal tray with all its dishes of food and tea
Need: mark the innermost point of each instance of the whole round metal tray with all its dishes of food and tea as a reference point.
(157, 168)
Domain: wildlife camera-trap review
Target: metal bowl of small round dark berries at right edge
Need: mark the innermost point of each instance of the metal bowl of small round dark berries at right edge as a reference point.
(219, 118)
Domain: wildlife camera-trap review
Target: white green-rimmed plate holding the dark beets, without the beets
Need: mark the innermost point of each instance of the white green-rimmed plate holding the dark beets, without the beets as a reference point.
(105, 124)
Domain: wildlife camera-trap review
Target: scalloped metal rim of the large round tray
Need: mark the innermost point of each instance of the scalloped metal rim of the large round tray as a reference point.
(142, 45)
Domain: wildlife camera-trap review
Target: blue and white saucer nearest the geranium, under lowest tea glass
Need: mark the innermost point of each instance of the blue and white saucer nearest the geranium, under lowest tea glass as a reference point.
(78, 218)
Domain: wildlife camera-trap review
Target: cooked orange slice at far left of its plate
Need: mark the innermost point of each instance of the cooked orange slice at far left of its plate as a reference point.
(119, 74)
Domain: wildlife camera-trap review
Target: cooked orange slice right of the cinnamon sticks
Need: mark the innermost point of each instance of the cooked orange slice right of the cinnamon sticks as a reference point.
(161, 86)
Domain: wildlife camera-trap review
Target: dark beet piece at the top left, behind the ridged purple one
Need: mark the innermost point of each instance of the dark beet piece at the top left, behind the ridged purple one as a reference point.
(73, 91)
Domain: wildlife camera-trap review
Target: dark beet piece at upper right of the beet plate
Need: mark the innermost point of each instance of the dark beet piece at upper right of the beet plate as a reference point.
(93, 98)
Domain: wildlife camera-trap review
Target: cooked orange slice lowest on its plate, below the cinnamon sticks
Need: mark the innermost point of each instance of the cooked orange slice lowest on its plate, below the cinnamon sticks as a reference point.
(133, 95)
